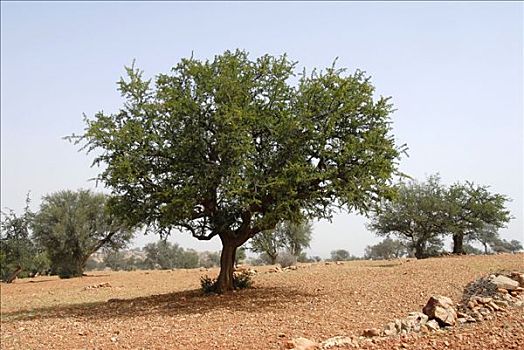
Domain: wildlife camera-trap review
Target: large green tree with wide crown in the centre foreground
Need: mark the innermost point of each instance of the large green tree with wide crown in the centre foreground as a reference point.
(229, 147)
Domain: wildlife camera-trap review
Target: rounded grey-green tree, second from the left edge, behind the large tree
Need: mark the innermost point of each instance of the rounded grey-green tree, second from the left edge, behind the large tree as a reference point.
(73, 225)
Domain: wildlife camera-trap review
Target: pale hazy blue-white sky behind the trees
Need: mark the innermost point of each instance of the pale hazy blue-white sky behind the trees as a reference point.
(454, 71)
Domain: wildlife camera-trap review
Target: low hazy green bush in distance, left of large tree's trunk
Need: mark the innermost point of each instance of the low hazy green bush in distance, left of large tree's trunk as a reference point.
(165, 255)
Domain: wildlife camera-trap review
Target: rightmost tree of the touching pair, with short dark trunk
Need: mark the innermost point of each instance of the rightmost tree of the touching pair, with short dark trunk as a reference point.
(472, 209)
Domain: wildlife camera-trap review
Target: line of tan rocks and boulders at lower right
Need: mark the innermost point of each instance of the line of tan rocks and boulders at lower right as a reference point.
(482, 300)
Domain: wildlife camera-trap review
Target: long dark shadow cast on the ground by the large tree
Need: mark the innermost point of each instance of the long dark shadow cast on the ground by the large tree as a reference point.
(192, 303)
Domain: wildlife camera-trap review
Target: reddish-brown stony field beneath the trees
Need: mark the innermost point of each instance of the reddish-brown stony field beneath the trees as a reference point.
(166, 310)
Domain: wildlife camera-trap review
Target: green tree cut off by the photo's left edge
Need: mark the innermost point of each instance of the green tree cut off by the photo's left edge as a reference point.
(20, 256)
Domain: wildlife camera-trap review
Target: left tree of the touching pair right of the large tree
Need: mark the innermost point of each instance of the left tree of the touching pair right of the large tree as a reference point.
(417, 215)
